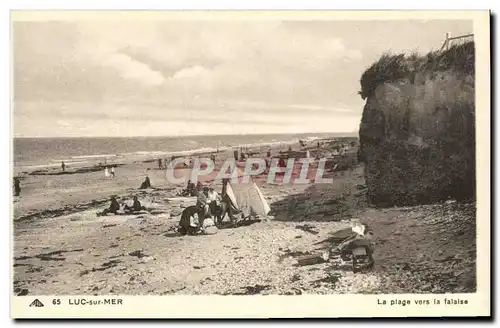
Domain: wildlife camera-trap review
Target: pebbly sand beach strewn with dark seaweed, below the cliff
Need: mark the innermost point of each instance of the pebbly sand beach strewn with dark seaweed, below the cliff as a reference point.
(62, 247)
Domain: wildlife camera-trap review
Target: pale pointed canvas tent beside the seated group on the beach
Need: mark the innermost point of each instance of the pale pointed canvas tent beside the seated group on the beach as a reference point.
(246, 197)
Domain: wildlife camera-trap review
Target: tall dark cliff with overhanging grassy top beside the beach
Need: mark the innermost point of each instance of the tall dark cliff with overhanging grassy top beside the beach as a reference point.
(417, 132)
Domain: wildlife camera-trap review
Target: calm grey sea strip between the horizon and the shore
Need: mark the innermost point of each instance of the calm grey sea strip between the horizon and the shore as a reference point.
(37, 153)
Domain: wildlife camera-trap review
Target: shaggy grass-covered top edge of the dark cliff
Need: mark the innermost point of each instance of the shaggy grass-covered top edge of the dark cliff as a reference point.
(391, 67)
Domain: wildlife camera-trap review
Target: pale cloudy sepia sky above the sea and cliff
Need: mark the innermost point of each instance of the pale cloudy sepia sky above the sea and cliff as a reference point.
(169, 77)
